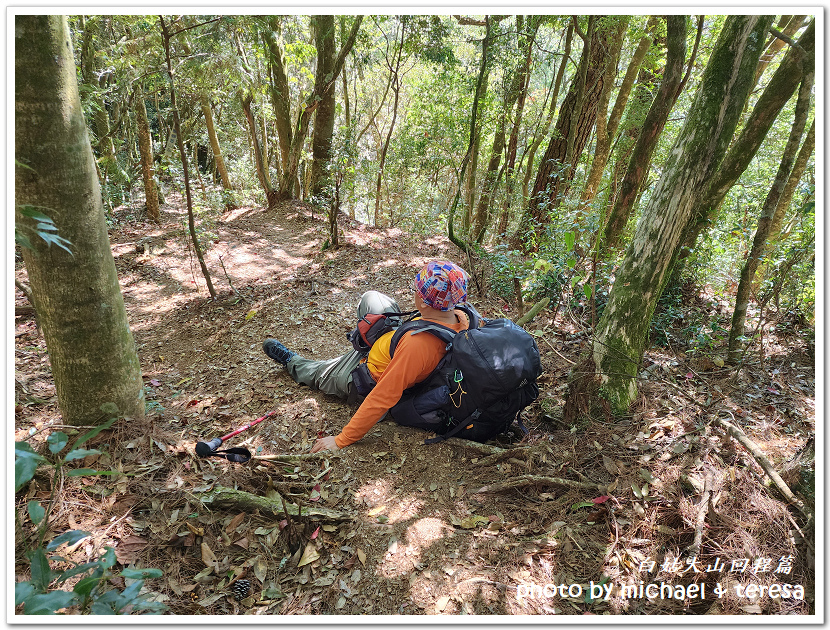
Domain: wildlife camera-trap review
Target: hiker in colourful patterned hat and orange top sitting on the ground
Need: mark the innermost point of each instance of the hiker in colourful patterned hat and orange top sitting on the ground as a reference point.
(439, 287)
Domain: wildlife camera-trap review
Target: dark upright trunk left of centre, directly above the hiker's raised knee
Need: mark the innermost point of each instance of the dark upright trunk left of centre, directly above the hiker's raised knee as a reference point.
(325, 114)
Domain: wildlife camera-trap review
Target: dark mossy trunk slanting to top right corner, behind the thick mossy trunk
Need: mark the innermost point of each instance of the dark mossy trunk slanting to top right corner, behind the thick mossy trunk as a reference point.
(779, 90)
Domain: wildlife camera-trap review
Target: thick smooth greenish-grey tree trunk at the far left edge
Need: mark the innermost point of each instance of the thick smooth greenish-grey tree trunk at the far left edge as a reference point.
(77, 296)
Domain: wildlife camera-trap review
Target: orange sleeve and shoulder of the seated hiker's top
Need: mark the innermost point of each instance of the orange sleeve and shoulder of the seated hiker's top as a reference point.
(415, 358)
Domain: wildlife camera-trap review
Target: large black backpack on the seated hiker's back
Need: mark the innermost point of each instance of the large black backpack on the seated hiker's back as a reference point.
(480, 387)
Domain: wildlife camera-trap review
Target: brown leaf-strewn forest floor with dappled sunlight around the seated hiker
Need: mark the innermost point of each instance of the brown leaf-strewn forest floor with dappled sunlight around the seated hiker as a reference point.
(405, 528)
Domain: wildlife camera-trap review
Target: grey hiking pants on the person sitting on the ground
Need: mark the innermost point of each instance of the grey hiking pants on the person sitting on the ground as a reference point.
(334, 376)
